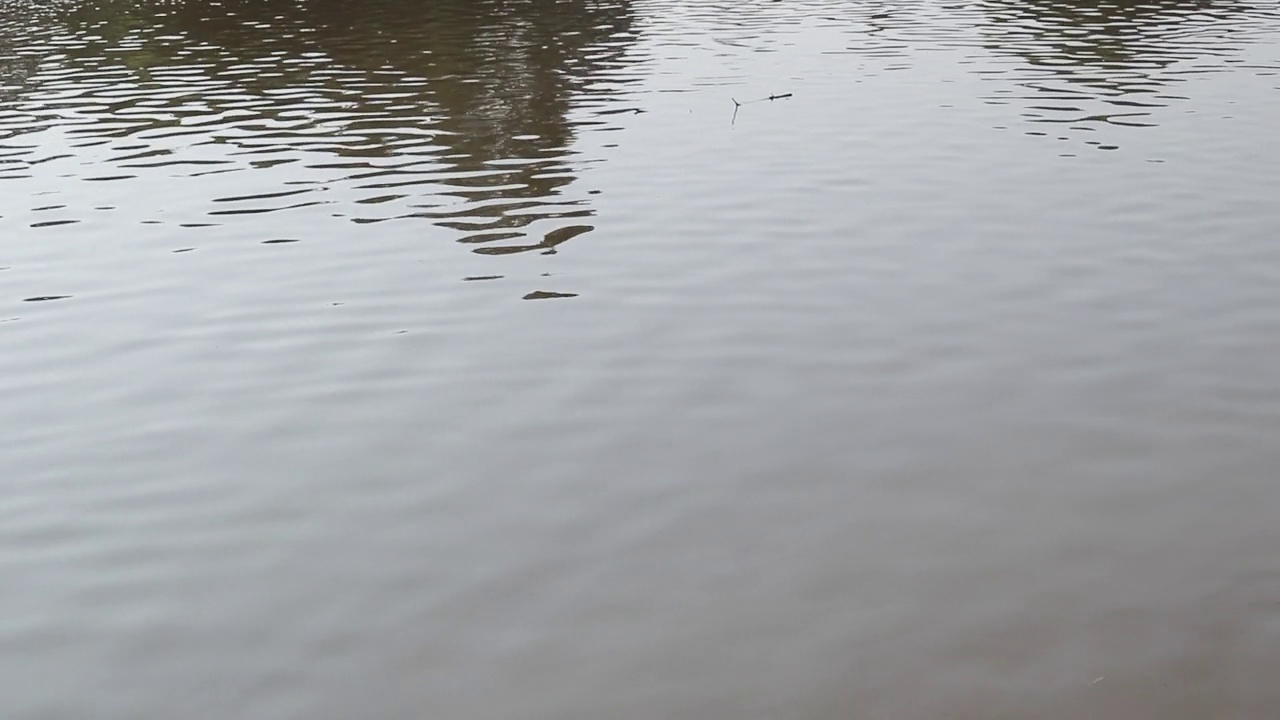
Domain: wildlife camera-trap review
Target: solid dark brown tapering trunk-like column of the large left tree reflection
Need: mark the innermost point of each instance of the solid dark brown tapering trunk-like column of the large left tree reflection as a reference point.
(504, 81)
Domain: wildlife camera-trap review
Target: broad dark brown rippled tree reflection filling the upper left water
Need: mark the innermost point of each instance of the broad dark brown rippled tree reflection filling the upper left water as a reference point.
(464, 113)
